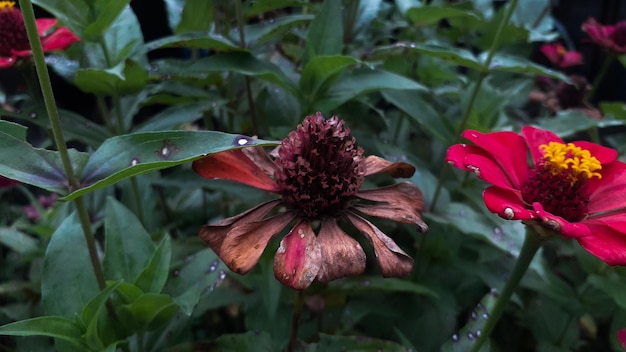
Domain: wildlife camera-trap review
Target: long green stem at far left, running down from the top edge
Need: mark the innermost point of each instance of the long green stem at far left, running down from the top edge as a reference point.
(55, 123)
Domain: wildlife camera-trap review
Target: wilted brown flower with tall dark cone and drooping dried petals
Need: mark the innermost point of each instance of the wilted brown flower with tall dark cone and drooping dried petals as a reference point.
(318, 173)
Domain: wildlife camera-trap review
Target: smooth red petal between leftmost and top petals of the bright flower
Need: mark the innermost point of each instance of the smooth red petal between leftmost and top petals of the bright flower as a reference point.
(507, 149)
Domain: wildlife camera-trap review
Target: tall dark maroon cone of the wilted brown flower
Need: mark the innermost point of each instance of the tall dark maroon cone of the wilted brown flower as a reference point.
(319, 167)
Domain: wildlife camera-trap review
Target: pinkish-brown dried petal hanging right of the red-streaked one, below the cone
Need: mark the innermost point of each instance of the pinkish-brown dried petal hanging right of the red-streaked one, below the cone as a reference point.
(342, 255)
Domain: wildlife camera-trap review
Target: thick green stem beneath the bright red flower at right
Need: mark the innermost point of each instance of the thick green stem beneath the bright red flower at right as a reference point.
(532, 243)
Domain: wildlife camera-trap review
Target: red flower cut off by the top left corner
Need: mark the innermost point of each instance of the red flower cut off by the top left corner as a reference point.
(14, 41)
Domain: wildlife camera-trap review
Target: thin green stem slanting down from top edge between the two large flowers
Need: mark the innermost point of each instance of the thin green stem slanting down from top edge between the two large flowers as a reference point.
(470, 105)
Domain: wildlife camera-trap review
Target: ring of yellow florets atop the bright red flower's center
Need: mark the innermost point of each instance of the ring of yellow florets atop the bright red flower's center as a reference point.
(570, 157)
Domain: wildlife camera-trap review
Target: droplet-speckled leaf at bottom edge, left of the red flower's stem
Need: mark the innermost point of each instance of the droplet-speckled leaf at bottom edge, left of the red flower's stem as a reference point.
(463, 340)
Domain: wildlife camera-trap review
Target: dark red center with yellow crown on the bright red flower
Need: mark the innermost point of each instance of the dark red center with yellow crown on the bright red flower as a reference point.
(558, 181)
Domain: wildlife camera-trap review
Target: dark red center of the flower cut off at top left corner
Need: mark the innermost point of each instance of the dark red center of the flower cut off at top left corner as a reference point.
(12, 29)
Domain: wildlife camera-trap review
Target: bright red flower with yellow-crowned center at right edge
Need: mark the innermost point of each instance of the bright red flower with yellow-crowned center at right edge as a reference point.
(575, 189)
